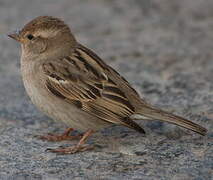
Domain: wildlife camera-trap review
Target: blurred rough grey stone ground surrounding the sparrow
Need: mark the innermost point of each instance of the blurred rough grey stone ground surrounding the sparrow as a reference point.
(163, 47)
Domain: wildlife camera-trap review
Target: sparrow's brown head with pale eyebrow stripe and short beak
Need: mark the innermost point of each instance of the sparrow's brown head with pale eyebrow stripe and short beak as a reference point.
(43, 35)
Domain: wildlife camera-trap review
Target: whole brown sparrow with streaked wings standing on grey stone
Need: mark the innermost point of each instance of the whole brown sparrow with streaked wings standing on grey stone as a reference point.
(70, 83)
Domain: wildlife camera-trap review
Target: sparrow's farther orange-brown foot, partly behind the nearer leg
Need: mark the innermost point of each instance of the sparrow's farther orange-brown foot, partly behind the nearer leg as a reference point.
(61, 137)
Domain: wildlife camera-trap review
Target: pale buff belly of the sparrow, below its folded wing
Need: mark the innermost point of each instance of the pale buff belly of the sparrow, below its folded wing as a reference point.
(58, 109)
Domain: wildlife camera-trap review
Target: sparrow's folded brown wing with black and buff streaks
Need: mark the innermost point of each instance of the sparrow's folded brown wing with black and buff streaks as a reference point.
(85, 81)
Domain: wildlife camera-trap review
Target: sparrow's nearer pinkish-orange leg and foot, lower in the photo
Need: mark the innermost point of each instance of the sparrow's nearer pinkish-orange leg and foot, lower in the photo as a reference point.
(80, 147)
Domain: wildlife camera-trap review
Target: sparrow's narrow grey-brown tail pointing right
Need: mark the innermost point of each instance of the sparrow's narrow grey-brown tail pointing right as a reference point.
(153, 113)
